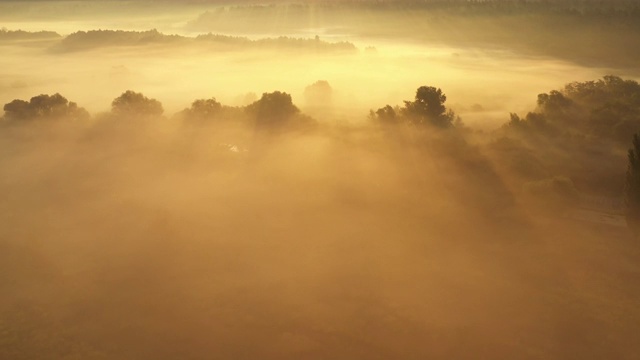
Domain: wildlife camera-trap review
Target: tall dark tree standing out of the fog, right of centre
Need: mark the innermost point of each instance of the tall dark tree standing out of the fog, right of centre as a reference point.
(428, 108)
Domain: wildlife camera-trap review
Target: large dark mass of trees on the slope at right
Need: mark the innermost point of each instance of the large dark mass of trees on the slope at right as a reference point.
(580, 132)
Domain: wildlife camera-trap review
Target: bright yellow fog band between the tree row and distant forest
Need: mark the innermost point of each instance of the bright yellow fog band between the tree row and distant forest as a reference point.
(361, 80)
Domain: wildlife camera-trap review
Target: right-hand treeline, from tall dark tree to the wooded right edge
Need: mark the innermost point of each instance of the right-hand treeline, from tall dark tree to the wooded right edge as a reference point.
(575, 138)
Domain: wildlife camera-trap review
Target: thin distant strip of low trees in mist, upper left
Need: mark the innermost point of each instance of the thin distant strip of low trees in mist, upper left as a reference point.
(87, 40)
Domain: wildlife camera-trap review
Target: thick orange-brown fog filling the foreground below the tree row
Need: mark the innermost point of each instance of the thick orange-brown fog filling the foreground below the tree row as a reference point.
(152, 240)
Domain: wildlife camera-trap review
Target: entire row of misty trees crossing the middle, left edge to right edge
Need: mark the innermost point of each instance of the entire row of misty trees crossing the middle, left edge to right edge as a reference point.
(575, 139)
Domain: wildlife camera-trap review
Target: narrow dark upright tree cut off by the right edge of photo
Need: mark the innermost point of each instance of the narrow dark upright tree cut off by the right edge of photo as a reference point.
(632, 186)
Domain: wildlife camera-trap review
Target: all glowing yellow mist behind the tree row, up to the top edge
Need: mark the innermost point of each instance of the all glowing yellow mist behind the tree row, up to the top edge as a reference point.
(379, 70)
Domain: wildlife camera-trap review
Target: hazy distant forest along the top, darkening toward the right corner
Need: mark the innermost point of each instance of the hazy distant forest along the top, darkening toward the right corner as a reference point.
(595, 33)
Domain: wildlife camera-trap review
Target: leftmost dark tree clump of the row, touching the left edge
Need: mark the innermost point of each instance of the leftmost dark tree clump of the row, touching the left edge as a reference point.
(44, 107)
